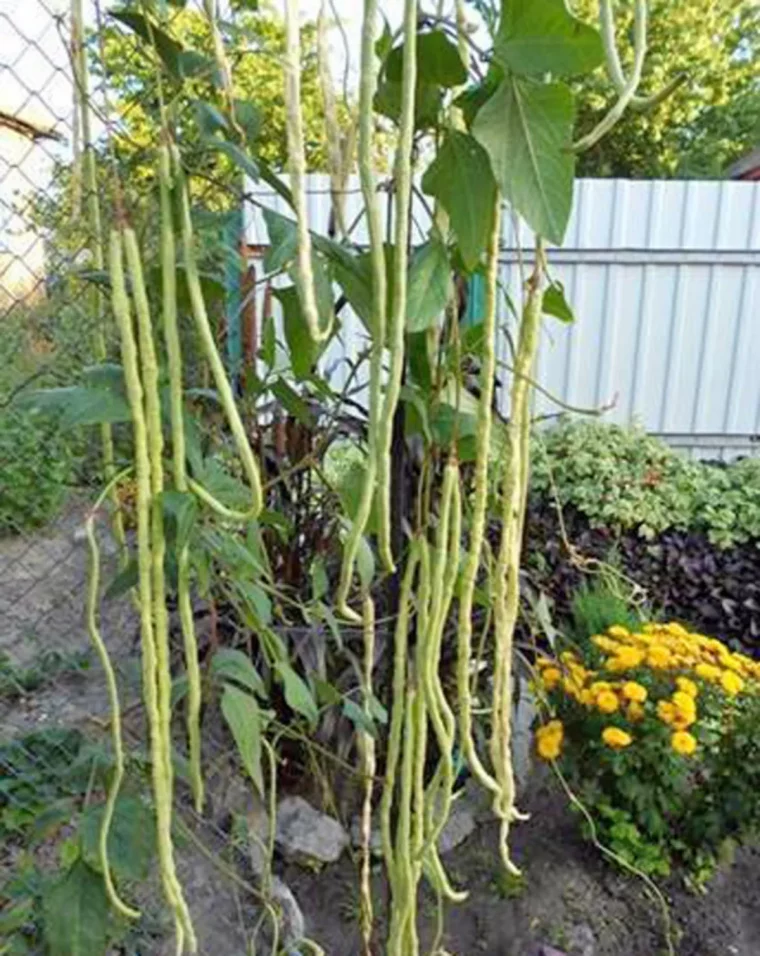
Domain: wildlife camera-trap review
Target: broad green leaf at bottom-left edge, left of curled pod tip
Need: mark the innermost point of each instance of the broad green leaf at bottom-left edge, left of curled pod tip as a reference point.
(76, 914)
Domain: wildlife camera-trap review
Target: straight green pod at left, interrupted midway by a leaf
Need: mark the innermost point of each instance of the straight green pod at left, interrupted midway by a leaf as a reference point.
(179, 468)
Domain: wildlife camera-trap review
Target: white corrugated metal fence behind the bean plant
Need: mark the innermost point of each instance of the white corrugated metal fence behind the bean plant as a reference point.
(663, 277)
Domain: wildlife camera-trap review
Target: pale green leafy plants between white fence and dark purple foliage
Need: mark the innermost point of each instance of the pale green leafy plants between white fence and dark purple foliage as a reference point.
(623, 479)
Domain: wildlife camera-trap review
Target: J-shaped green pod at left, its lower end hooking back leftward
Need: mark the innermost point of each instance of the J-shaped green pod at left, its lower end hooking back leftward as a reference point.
(221, 381)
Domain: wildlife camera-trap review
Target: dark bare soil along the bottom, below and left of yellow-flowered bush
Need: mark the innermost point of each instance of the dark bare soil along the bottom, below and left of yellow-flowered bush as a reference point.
(570, 899)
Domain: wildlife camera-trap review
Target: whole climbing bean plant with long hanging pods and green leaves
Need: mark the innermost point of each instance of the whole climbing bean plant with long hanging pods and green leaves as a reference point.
(490, 128)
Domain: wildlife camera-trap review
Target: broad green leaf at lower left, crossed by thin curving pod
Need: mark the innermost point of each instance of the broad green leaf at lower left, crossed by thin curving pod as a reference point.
(131, 839)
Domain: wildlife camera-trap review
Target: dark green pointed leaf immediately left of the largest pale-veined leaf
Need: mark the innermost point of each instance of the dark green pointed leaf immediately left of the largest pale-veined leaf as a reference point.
(460, 177)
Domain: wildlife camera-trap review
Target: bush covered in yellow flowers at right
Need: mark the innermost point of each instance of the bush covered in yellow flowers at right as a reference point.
(657, 732)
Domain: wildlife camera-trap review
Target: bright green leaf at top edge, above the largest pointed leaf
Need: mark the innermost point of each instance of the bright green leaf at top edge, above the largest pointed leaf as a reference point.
(542, 36)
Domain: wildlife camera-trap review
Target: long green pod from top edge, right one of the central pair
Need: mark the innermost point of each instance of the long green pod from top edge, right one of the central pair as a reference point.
(403, 184)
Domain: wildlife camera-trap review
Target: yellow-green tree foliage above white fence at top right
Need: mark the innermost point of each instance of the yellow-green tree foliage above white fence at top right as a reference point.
(708, 122)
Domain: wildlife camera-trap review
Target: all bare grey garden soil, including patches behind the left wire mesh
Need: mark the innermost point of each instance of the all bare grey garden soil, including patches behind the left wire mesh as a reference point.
(570, 899)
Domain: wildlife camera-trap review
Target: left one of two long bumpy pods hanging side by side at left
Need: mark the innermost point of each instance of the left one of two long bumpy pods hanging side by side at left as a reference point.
(159, 745)
